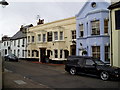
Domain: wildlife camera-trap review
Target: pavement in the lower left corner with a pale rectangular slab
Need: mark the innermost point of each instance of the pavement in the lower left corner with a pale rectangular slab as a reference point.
(13, 80)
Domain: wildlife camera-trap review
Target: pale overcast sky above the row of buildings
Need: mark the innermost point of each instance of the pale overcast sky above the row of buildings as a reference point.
(25, 12)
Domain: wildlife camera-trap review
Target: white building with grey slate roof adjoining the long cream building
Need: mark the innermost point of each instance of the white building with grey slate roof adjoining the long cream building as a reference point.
(19, 42)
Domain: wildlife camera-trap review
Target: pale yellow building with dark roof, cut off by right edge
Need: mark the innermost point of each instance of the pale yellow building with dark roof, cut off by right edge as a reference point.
(115, 33)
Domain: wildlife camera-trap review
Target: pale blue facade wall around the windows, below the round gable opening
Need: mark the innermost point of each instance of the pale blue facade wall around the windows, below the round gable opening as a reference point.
(88, 40)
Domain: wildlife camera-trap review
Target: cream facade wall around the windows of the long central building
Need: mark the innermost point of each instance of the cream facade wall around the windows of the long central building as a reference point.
(66, 26)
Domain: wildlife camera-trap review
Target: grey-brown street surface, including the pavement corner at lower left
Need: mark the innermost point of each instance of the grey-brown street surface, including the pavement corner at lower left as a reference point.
(37, 75)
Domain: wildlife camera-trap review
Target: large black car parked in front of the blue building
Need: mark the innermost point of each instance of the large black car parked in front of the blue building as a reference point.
(91, 66)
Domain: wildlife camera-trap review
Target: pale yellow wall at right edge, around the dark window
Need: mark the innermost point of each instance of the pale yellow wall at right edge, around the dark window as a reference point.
(115, 42)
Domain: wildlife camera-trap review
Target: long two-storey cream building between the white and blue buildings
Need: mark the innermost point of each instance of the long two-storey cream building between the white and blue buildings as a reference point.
(56, 39)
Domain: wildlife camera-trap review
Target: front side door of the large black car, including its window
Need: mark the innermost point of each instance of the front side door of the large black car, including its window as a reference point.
(90, 67)
